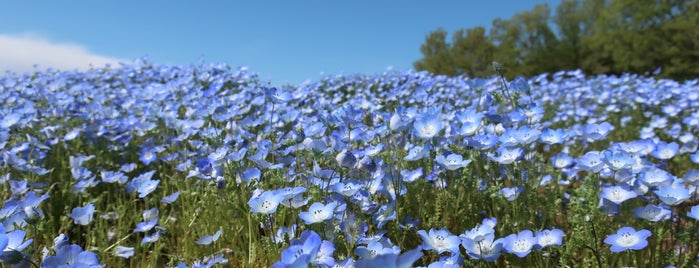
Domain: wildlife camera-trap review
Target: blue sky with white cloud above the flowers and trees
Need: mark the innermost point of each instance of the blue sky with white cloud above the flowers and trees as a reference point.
(282, 41)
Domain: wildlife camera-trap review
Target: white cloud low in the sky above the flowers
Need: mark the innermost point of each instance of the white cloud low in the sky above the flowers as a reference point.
(19, 53)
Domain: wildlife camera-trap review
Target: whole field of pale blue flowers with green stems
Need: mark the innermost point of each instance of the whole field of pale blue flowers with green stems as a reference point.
(145, 165)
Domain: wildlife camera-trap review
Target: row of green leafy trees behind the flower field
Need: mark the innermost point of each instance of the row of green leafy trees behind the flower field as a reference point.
(596, 36)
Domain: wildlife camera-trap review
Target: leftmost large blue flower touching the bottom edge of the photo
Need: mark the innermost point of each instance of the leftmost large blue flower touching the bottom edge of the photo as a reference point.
(72, 256)
